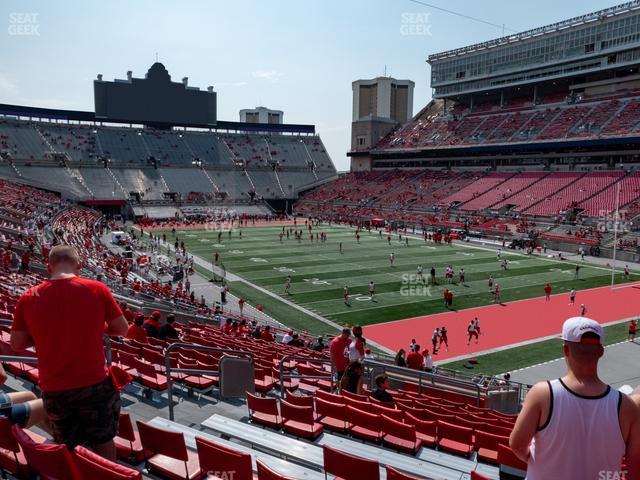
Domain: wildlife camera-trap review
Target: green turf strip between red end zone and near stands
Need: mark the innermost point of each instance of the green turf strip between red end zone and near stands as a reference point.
(520, 357)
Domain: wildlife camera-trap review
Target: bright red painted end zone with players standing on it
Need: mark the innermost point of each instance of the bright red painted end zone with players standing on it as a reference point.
(506, 324)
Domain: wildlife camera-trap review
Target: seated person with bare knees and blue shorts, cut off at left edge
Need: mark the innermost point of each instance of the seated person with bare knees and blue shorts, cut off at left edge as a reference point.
(22, 408)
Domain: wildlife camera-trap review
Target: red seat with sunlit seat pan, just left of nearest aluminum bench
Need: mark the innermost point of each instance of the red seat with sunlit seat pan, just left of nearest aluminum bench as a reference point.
(166, 454)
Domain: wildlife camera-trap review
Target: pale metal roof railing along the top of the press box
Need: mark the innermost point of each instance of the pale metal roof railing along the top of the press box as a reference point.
(536, 32)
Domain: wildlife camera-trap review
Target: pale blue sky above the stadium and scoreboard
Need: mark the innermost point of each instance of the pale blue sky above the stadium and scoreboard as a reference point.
(299, 56)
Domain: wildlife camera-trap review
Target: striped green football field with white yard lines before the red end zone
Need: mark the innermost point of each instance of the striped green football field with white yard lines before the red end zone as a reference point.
(319, 271)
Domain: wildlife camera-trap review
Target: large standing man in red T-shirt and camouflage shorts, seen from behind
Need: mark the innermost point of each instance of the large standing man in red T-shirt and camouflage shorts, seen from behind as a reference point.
(65, 319)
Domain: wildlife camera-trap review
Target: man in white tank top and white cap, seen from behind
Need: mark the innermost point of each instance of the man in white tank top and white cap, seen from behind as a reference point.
(577, 427)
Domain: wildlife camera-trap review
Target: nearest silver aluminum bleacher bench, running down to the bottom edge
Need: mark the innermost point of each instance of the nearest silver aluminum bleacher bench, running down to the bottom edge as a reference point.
(281, 466)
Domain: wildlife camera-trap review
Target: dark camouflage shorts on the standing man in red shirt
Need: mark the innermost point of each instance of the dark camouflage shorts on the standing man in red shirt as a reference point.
(84, 416)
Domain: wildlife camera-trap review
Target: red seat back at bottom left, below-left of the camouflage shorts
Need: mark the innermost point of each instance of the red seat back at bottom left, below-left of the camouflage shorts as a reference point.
(52, 462)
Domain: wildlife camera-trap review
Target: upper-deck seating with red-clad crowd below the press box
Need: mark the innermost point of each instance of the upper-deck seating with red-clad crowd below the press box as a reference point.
(555, 118)
